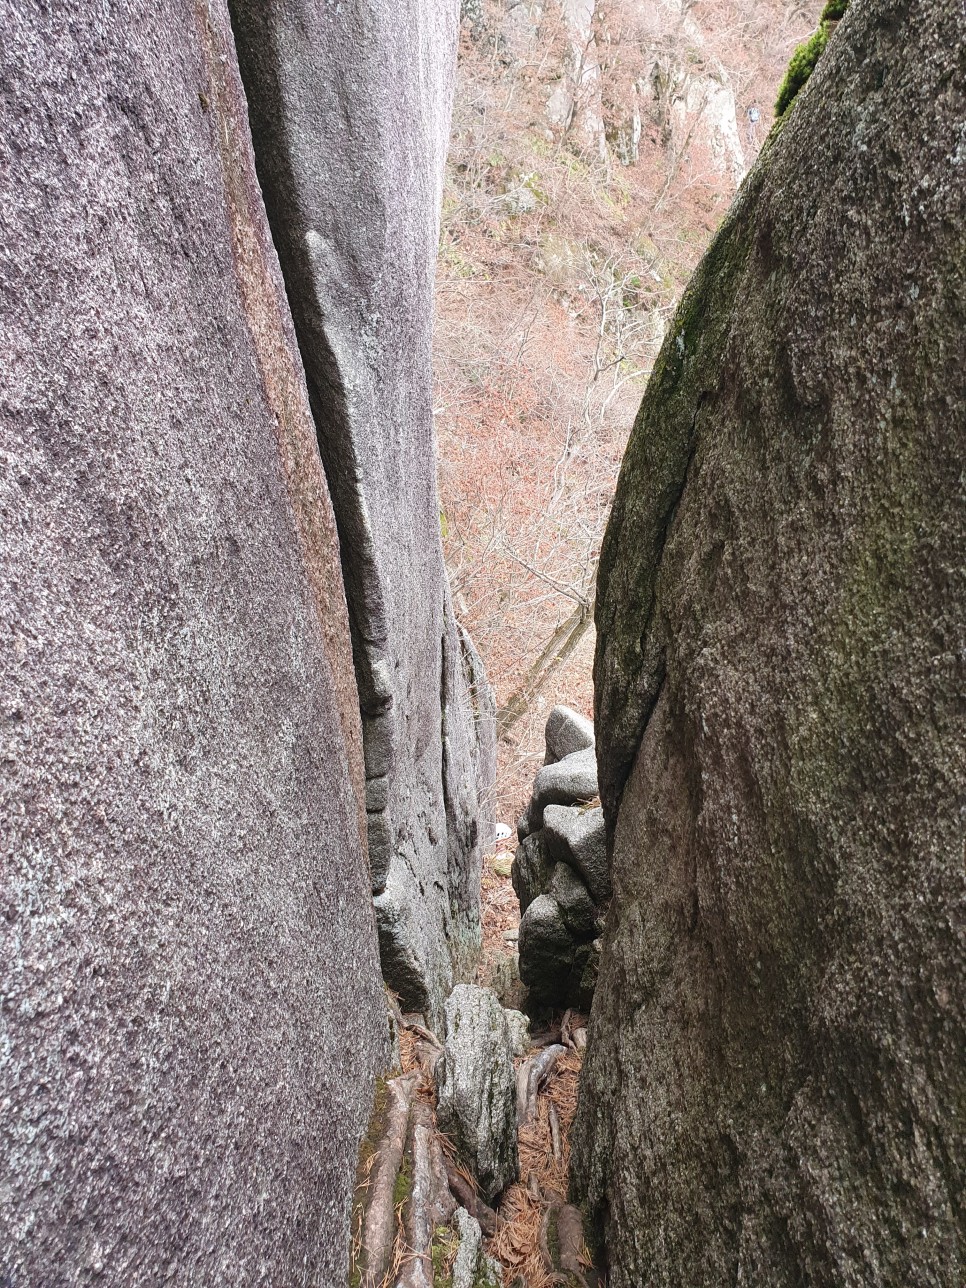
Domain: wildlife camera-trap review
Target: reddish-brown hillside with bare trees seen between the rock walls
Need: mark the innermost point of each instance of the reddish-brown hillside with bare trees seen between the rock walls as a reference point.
(596, 149)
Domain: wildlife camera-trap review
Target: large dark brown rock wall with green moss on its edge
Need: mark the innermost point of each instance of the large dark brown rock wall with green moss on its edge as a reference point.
(776, 1049)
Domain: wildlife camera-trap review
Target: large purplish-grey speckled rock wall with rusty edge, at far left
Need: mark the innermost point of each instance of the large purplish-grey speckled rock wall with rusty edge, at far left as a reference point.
(194, 1016)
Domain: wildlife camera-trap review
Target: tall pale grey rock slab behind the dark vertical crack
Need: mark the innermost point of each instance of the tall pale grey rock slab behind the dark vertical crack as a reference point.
(350, 110)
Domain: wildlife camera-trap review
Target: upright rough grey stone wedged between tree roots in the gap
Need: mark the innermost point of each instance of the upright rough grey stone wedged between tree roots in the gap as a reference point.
(477, 1103)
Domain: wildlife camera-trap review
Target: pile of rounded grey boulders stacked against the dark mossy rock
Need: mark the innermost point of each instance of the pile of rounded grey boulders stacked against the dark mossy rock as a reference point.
(561, 873)
